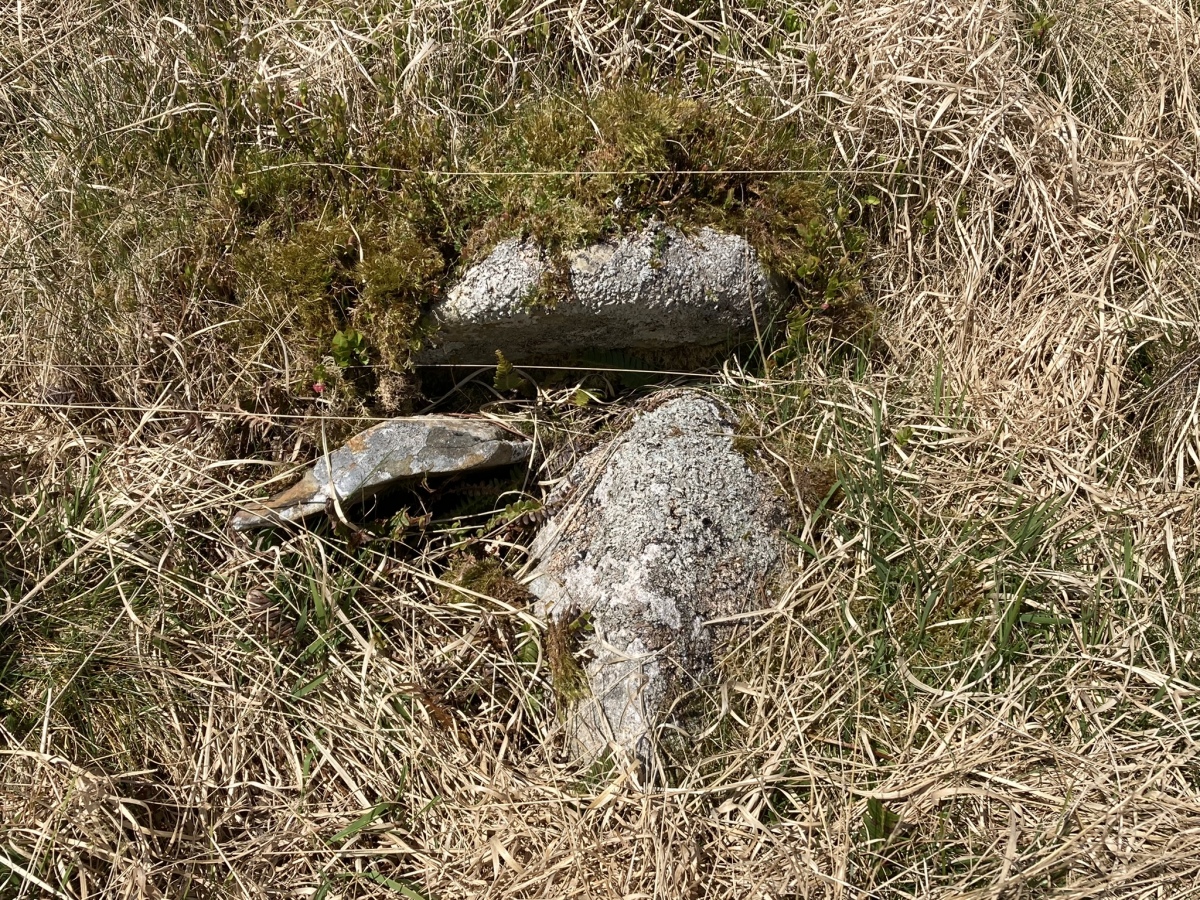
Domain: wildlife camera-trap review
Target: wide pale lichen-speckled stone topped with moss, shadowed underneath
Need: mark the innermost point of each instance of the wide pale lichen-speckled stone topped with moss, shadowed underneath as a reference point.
(656, 291)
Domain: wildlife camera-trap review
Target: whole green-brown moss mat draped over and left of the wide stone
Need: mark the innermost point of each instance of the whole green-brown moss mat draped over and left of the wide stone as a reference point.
(333, 221)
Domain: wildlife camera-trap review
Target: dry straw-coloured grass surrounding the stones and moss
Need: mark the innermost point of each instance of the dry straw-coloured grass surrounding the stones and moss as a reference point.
(981, 681)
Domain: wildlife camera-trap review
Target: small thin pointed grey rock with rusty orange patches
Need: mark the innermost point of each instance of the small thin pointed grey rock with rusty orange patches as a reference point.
(381, 457)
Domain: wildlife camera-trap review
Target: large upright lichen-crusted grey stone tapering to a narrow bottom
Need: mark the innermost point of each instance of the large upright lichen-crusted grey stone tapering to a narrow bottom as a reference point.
(667, 530)
